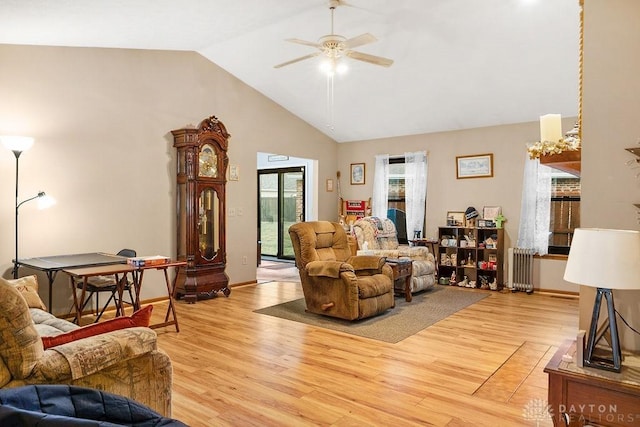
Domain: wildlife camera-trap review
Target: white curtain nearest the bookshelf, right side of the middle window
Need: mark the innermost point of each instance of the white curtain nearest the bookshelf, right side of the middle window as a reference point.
(415, 180)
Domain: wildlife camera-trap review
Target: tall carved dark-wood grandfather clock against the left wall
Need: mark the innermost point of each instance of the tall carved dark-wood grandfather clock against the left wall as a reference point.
(201, 179)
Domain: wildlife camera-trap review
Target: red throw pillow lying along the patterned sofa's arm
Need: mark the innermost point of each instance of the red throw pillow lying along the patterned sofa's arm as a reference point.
(141, 317)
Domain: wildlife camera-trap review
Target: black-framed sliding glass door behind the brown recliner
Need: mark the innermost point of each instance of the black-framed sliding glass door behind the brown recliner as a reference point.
(281, 203)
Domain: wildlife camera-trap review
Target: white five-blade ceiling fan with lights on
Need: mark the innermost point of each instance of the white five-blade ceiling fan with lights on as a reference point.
(334, 46)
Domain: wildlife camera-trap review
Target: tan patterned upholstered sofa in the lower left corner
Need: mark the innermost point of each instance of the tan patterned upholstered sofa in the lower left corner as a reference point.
(125, 362)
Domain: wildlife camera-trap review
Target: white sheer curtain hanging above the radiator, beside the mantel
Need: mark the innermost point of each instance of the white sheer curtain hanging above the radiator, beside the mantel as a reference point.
(536, 207)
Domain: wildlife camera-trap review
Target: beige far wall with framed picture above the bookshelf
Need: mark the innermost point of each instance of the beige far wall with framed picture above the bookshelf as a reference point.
(447, 193)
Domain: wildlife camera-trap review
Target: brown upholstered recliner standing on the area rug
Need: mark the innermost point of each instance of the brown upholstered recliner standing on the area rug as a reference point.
(334, 282)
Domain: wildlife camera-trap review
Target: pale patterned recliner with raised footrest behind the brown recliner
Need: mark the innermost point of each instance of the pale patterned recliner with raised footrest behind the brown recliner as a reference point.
(378, 235)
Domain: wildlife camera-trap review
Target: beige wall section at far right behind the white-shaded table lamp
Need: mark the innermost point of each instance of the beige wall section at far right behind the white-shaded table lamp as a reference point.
(611, 105)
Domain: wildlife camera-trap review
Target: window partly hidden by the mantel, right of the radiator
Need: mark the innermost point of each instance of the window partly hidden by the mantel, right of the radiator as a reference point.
(565, 211)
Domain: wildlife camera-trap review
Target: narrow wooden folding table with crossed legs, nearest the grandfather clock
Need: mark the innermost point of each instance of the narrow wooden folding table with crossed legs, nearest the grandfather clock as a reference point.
(120, 271)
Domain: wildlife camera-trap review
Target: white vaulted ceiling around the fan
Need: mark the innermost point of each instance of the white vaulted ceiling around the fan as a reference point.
(457, 63)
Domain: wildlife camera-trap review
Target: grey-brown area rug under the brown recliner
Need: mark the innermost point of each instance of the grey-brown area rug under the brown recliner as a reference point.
(406, 319)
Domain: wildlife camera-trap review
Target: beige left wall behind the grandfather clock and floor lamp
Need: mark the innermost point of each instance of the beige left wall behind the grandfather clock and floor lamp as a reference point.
(102, 120)
